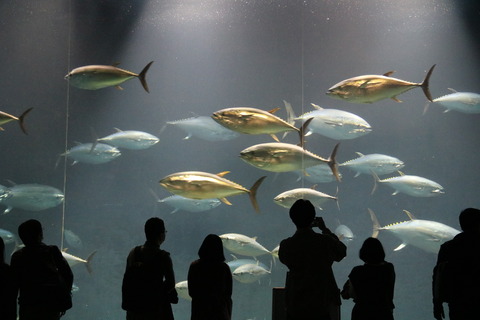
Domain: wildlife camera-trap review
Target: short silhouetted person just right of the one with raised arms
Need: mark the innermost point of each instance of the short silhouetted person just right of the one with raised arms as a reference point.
(371, 285)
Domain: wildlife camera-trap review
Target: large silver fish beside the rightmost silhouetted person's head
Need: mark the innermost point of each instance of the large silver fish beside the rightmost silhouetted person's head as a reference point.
(424, 234)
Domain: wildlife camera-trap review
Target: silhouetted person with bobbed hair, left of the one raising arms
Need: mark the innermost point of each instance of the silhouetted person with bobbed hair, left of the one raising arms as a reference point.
(210, 282)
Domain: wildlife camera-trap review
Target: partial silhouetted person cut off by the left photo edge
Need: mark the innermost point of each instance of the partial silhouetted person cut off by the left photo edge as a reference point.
(8, 290)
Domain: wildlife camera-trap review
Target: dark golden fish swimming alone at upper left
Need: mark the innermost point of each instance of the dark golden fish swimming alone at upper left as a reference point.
(95, 77)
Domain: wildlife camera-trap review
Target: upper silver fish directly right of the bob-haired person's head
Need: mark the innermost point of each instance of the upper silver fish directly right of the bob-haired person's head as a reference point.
(244, 245)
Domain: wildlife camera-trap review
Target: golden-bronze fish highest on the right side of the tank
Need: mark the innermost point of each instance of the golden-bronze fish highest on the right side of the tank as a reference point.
(373, 88)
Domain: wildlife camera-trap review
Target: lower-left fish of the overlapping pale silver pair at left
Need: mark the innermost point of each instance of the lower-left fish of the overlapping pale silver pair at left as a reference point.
(97, 153)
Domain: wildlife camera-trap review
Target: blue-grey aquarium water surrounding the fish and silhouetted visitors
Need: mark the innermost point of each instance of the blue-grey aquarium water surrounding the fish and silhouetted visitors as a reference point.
(211, 55)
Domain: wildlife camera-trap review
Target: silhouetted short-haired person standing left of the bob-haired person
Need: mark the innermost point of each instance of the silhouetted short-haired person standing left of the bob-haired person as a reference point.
(148, 287)
